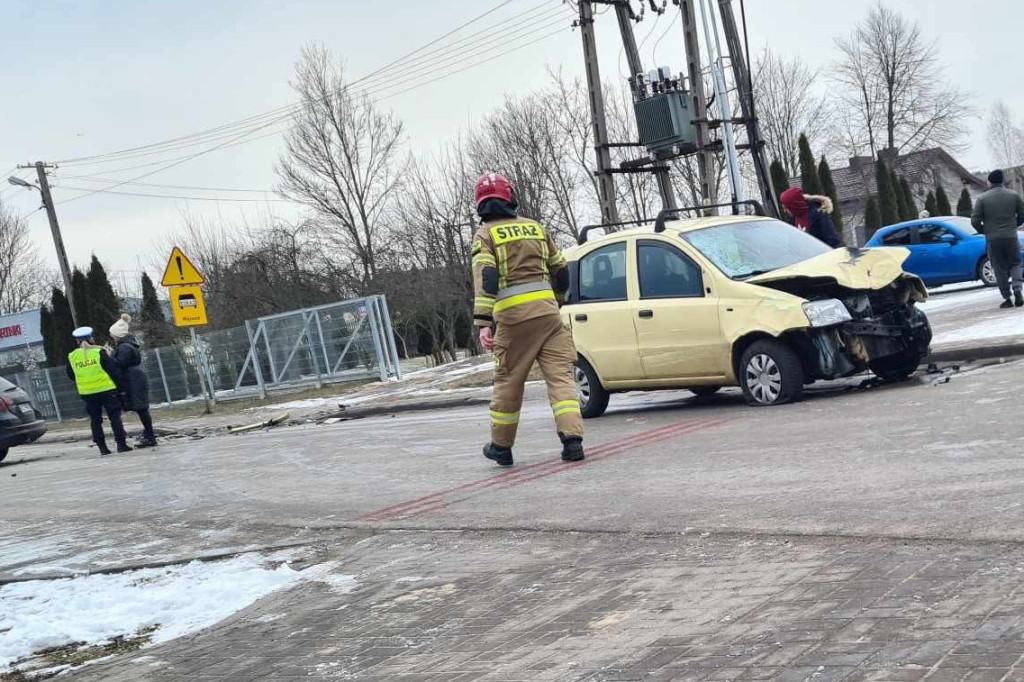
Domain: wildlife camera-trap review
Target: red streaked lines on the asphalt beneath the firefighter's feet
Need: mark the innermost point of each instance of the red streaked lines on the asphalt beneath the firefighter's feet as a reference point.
(436, 502)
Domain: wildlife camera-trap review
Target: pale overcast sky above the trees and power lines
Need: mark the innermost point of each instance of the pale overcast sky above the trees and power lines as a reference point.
(83, 77)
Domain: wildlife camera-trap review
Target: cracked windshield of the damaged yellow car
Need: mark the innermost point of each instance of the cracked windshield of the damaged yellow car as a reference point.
(743, 250)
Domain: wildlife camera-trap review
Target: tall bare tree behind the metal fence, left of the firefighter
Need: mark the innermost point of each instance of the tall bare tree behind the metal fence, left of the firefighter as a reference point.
(344, 160)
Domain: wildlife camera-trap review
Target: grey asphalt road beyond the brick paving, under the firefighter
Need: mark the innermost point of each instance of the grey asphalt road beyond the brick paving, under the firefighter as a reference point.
(937, 457)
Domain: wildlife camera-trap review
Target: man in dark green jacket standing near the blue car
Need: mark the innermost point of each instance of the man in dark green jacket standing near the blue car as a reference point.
(998, 215)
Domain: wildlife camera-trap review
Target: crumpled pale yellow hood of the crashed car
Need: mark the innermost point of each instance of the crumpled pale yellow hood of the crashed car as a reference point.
(850, 268)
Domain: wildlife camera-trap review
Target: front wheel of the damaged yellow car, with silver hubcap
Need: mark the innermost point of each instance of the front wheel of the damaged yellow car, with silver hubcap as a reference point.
(771, 374)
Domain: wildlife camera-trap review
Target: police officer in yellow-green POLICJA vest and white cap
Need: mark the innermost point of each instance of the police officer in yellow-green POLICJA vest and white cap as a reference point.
(93, 371)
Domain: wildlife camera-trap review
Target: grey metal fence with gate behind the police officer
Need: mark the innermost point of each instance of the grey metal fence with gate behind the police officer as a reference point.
(348, 342)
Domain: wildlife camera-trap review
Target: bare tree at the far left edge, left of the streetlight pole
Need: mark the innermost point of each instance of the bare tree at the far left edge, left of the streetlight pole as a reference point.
(23, 280)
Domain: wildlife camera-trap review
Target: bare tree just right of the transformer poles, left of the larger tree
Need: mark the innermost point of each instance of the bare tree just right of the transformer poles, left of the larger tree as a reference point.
(789, 104)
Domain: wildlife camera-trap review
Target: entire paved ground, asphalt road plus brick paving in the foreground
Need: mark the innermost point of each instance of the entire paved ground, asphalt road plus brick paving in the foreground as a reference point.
(863, 534)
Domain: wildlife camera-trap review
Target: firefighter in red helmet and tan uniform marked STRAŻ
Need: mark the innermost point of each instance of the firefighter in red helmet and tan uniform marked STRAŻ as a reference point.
(520, 276)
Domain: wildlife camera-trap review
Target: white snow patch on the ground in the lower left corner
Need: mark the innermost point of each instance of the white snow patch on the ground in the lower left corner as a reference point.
(183, 600)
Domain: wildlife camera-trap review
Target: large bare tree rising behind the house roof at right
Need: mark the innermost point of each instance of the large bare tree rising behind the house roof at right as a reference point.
(893, 75)
